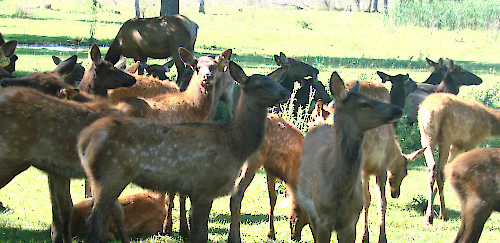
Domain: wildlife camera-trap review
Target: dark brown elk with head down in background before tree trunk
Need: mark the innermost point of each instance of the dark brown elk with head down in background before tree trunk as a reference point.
(157, 38)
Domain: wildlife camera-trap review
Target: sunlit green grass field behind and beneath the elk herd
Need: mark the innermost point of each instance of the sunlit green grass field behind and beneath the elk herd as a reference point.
(356, 45)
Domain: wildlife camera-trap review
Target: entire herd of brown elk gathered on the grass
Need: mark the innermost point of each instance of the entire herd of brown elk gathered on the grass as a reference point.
(146, 131)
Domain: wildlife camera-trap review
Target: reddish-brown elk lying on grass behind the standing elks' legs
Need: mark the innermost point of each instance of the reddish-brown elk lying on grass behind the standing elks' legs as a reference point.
(144, 214)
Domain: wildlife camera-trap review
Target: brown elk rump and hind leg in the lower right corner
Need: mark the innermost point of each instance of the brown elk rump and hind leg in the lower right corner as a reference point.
(475, 176)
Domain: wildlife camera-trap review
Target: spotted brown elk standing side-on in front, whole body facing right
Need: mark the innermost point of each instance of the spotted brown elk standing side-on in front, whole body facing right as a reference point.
(219, 148)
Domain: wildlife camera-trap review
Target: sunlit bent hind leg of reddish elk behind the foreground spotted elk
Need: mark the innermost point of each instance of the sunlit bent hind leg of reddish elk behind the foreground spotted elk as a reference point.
(247, 174)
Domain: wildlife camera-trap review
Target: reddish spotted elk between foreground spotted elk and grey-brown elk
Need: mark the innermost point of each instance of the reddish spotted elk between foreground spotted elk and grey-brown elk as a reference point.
(279, 154)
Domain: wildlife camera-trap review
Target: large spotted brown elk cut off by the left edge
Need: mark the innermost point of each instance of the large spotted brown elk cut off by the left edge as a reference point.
(43, 133)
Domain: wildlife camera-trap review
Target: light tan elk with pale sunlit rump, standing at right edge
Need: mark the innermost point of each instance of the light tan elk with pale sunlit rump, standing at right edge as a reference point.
(453, 125)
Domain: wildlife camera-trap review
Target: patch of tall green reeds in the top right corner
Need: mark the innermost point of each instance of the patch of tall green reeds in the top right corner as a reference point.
(452, 15)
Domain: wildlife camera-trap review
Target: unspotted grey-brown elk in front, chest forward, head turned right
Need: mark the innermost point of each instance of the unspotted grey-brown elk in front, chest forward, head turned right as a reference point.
(330, 188)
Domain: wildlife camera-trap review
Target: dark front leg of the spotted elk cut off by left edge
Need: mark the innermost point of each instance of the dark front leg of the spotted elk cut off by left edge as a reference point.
(62, 208)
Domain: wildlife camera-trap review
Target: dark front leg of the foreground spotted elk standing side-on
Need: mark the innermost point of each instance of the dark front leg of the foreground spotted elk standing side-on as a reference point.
(200, 210)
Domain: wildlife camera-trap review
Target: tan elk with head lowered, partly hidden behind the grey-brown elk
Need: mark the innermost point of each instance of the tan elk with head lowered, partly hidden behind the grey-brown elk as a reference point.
(382, 155)
